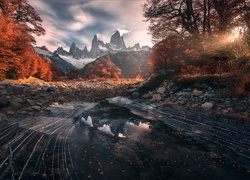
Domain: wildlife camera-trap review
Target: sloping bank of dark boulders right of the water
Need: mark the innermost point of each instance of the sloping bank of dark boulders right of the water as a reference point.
(198, 95)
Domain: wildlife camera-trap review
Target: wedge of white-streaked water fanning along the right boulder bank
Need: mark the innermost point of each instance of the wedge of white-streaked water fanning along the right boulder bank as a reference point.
(226, 135)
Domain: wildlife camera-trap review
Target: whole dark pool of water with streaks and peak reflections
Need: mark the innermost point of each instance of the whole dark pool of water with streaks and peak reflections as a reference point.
(128, 140)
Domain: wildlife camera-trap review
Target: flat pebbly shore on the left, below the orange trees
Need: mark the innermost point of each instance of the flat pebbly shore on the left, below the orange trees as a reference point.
(29, 98)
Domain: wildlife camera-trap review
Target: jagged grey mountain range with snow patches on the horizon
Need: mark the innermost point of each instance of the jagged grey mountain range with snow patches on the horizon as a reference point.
(132, 61)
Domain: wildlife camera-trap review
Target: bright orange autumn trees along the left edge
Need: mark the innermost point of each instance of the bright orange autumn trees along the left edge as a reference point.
(18, 21)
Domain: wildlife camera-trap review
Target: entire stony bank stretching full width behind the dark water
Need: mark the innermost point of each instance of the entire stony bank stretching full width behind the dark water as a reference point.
(29, 98)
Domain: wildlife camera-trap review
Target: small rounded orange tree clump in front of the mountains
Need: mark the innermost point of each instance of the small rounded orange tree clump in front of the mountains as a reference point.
(102, 68)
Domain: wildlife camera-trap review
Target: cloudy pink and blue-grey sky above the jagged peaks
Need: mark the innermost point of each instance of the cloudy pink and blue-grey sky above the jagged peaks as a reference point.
(67, 21)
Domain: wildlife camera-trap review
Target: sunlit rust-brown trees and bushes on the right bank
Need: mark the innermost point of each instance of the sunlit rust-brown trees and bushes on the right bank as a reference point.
(211, 37)
